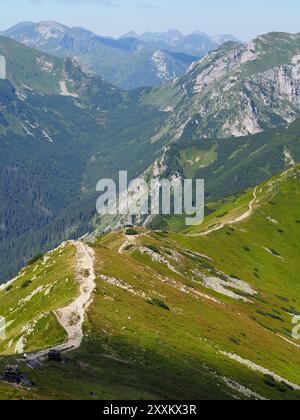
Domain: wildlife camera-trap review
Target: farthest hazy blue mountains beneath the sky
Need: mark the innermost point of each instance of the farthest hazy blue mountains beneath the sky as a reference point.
(128, 62)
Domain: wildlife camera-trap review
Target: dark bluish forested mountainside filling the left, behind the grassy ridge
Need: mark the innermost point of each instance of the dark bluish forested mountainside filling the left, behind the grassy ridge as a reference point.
(60, 129)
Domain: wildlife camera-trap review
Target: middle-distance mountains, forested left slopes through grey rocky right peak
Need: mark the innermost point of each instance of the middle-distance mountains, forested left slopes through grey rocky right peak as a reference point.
(72, 128)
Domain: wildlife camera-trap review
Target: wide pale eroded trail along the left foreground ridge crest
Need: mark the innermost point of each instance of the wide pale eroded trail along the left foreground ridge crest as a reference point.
(72, 317)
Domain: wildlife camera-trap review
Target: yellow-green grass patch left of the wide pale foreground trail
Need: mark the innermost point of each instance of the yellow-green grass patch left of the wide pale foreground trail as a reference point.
(28, 303)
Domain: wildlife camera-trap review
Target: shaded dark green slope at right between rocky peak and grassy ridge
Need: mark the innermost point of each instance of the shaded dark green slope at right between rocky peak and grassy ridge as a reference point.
(232, 165)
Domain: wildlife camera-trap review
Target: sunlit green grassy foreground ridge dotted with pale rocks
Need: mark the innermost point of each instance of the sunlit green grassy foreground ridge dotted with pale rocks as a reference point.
(206, 314)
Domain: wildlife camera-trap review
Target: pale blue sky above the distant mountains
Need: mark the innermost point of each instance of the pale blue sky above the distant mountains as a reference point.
(244, 18)
